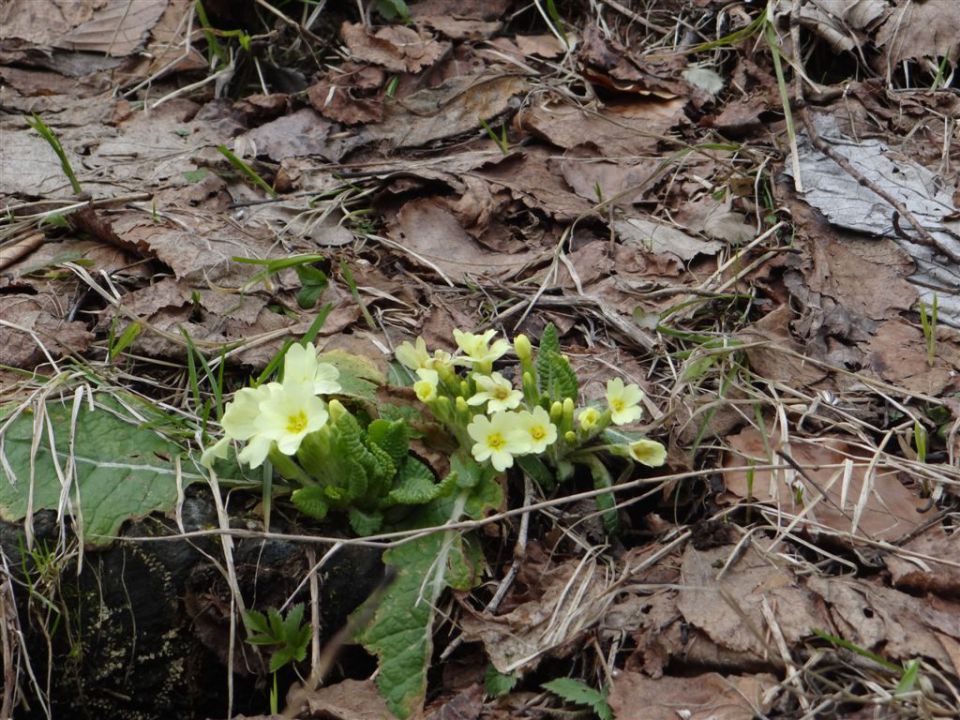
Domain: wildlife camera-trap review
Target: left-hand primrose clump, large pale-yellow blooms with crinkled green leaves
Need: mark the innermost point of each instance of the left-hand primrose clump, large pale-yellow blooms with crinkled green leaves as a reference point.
(316, 443)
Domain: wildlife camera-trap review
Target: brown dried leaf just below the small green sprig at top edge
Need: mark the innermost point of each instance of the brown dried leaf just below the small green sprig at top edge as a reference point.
(397, 48)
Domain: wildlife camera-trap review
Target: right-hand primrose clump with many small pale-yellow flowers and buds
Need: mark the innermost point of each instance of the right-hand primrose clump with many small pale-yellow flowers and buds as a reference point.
(535, 423)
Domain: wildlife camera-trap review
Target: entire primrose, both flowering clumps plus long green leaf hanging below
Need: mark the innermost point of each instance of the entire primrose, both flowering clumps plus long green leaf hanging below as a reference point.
(341, 460)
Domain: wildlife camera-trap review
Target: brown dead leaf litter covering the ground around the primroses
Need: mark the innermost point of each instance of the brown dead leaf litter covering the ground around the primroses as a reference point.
(624, 173)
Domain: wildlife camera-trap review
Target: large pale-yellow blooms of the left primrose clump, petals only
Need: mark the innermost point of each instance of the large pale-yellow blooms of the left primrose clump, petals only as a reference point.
(278, 414)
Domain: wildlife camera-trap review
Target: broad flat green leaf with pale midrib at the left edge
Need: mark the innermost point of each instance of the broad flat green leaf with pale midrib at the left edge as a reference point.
(121, 471)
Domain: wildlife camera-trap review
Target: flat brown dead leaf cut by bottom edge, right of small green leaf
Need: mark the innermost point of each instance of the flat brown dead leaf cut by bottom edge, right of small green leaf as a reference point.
(703, 697)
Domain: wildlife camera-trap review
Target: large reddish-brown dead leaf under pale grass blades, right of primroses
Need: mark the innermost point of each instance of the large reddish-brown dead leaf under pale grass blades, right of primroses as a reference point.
(880, 509)
